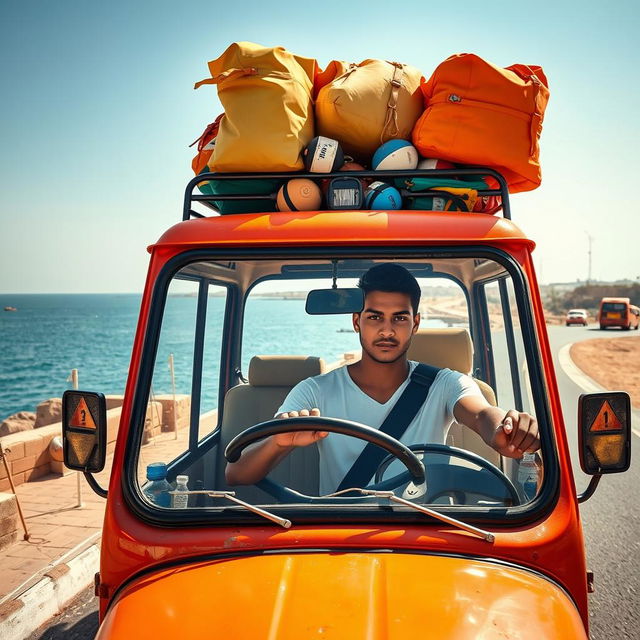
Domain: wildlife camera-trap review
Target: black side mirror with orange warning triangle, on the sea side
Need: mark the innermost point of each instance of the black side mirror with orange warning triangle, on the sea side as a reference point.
(84, 430)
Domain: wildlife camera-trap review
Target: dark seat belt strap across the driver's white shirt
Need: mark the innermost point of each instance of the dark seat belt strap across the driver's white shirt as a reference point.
(395, 424)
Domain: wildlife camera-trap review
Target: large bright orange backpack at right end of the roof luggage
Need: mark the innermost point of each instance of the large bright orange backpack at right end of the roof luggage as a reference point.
(479, 114)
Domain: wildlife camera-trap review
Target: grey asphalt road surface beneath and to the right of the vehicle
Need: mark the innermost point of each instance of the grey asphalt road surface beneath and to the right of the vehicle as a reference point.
(611, 522)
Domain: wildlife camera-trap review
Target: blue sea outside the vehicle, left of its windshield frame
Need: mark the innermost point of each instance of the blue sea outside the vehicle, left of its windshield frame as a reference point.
(49, 335)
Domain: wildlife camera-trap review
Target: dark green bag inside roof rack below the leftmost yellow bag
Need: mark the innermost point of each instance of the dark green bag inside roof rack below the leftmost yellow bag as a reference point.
(244, 187)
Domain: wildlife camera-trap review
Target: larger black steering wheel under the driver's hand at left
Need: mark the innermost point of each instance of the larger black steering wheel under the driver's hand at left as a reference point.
(414, 468)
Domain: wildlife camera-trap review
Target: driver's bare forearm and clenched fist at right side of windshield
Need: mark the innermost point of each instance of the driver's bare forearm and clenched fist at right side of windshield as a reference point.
(511, 433)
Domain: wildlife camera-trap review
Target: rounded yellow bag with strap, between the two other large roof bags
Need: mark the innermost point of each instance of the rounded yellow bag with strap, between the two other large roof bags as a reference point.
(363, 105)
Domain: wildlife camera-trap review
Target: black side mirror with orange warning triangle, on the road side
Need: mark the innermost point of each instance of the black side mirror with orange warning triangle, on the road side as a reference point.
(604, 424)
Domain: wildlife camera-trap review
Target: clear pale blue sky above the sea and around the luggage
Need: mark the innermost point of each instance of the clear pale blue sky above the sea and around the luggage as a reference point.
(98, 111)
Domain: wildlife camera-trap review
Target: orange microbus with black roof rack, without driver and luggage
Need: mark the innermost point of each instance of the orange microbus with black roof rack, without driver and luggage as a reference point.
(446, 539)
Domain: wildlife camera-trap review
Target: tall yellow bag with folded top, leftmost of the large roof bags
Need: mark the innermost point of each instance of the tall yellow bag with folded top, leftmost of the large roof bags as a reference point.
(267, 97)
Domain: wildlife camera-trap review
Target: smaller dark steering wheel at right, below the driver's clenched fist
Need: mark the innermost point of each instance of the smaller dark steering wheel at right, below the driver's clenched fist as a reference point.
(450, 479)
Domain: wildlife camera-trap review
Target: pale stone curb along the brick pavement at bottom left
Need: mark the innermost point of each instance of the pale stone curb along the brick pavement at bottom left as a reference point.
(60, 583)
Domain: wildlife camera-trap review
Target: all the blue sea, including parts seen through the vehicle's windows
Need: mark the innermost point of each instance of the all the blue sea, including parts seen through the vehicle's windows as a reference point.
(50, 334)
